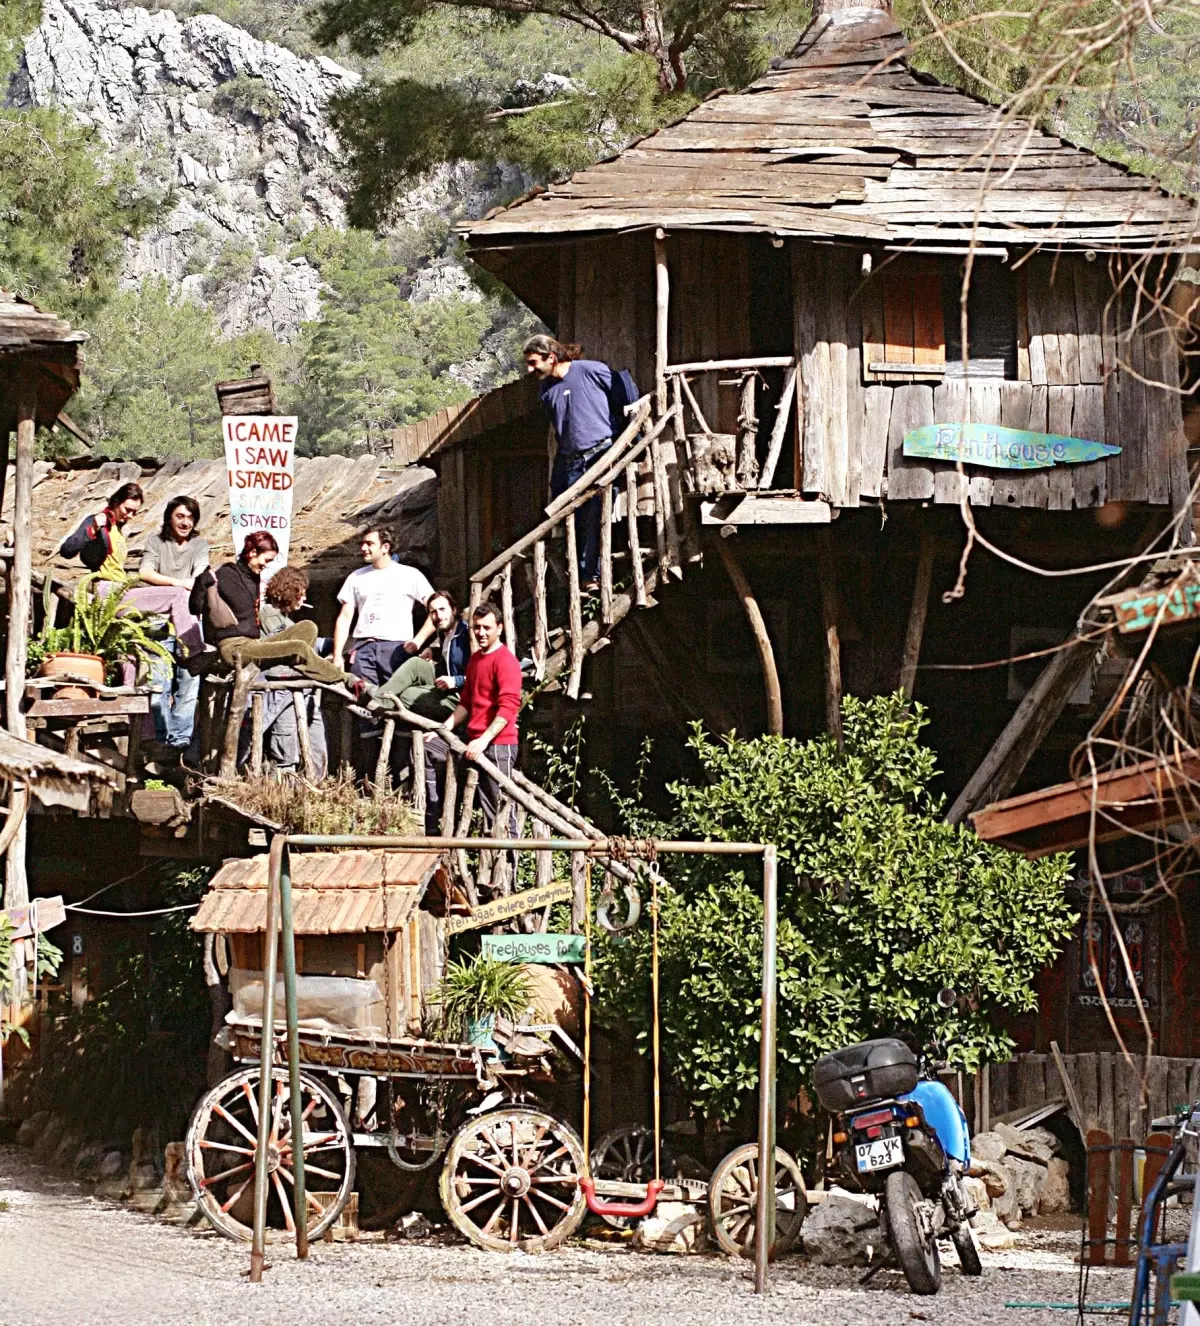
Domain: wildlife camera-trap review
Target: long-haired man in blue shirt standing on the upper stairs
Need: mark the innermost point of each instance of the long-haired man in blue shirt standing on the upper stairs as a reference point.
(585, 401)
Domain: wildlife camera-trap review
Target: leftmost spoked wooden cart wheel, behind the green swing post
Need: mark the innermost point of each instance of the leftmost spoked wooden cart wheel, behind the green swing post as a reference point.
(223, 1142)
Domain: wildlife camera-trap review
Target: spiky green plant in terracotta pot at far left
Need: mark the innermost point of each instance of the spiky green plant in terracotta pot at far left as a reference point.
(104, 632)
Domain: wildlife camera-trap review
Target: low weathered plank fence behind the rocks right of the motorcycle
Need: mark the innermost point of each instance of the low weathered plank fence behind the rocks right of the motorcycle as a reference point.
(1109, 1089)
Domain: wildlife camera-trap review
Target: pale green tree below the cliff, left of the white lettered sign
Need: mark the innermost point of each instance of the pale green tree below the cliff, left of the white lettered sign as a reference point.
(148, 391)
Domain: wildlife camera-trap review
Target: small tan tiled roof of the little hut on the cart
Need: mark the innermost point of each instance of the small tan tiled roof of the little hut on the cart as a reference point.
(333, 893)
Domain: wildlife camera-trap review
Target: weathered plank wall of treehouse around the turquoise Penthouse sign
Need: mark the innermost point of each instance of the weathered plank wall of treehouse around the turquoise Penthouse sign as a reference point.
(1085, 371)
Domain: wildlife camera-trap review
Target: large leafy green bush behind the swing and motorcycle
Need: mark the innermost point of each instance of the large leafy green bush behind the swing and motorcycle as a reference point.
(881, 905)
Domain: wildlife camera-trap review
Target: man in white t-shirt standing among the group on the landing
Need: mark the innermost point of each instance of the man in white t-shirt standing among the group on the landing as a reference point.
(377, 611)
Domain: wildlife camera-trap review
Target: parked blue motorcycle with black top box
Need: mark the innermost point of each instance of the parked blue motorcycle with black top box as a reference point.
(900, 1134)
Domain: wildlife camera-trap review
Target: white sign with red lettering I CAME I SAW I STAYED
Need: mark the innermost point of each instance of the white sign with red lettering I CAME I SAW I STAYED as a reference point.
(261, 457)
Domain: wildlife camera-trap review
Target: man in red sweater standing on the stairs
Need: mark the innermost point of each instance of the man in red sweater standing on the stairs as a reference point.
(490, 702)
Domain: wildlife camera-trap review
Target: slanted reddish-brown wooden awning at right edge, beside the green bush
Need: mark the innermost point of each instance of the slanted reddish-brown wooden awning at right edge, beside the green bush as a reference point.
(1059, 819)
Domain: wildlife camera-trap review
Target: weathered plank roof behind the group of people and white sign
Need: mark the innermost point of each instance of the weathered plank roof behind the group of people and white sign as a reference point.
(335, 498)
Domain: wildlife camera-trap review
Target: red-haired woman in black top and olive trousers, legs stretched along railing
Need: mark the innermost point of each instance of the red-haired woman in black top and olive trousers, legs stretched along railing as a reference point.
(229, 601)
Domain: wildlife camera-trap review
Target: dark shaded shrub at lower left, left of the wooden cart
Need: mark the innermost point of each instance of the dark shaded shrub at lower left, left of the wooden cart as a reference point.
(136, 1054)
